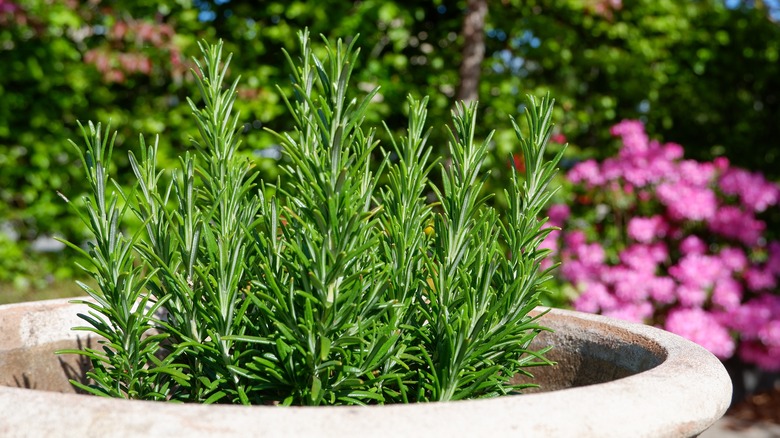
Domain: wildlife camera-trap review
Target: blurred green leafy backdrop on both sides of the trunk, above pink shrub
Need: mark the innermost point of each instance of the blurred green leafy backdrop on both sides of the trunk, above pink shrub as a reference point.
(703, 74)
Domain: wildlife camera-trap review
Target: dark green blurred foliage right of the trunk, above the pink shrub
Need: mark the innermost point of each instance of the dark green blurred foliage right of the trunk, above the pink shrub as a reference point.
(704, 74)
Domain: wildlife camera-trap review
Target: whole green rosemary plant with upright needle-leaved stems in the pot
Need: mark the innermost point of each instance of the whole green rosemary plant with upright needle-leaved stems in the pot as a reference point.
(334, 288)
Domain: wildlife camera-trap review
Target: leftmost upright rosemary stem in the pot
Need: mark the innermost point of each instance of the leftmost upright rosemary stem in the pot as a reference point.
(120, 313)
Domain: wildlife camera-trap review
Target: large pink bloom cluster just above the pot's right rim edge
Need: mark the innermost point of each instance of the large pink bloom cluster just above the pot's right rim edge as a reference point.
(702, 328)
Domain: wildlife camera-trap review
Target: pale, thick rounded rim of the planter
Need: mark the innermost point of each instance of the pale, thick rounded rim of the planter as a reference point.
(681, 396)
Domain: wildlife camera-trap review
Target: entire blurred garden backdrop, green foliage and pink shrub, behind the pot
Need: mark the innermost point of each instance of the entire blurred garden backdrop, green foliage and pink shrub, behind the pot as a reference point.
(701, 77)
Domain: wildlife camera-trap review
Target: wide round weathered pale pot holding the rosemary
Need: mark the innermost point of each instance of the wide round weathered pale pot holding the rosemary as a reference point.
(612, 379)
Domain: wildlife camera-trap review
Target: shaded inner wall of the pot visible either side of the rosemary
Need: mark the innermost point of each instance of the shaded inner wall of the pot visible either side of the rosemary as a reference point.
(586, 352)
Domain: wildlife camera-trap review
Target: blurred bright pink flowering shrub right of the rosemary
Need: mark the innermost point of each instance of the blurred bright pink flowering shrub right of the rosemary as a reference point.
(651, 237)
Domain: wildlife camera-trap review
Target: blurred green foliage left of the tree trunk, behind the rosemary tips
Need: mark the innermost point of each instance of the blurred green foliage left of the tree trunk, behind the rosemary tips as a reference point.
(127, 62)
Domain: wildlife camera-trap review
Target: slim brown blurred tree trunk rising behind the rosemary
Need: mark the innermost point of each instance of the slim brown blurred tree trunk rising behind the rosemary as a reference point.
(473, 50)
